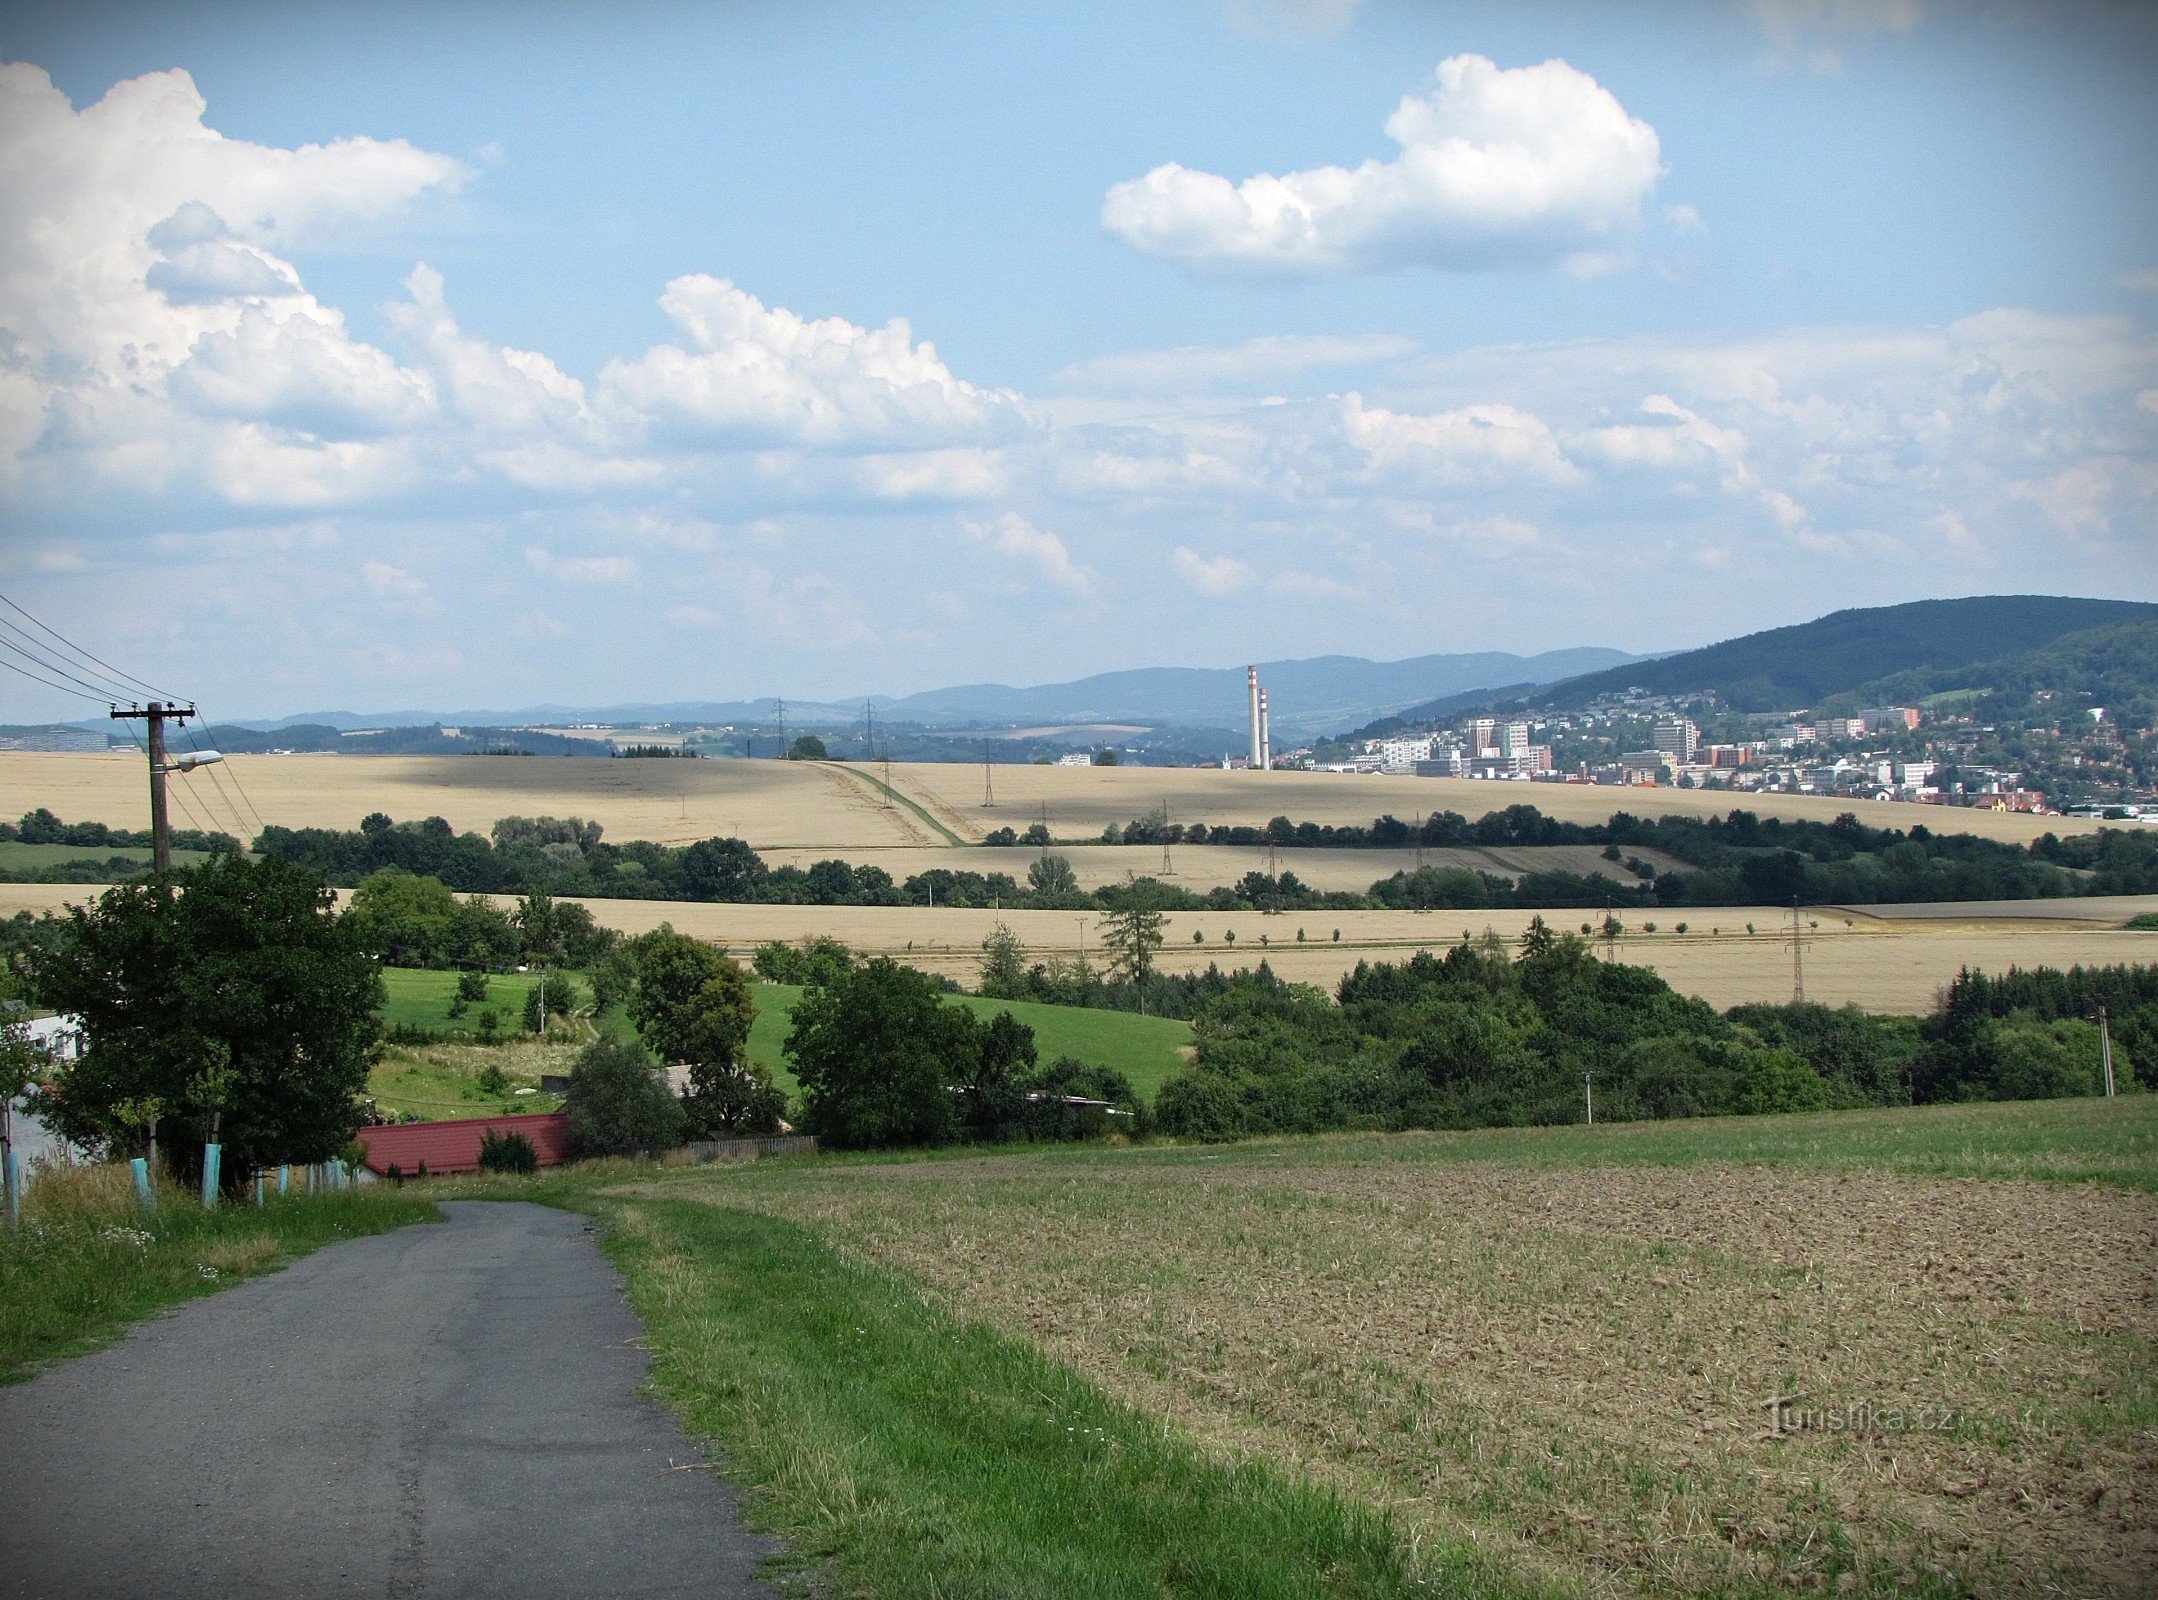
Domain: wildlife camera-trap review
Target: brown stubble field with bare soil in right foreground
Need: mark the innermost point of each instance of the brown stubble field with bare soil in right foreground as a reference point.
(1572, 1364)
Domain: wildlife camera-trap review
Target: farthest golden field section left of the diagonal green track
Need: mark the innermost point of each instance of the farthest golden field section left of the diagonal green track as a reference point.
(767, 804)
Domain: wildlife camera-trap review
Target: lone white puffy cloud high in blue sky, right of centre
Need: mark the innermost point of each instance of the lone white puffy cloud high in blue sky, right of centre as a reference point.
(1499, 167)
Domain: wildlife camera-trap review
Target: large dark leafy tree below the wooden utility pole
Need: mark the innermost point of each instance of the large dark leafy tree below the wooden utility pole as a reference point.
(243, 973)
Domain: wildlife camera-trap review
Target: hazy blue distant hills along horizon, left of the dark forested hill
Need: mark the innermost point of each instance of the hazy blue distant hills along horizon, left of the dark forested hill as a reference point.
(1305, 696)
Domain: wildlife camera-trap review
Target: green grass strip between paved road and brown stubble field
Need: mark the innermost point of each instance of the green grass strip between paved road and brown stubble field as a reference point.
(925, 1456)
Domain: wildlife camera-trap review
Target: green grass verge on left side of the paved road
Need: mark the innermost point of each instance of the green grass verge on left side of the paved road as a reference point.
(87, 1264)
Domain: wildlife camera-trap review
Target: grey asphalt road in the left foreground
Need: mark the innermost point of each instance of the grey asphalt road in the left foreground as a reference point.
(441, 1411)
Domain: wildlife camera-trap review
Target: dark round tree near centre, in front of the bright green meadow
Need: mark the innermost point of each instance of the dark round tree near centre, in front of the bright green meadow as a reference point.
(877, 1055)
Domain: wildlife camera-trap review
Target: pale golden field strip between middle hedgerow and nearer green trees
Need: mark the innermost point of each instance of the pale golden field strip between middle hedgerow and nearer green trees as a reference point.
(1850, 958)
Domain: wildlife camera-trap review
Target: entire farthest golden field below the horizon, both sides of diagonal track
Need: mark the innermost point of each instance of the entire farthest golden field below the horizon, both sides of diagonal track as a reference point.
(828, 806)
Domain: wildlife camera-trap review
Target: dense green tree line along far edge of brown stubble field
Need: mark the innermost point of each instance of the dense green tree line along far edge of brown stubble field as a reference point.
(1494, 1038)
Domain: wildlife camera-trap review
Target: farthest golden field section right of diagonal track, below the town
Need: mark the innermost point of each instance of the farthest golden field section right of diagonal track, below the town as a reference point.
(1084, 800)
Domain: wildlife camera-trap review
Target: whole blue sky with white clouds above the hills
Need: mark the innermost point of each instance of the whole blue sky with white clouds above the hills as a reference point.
(480, 355)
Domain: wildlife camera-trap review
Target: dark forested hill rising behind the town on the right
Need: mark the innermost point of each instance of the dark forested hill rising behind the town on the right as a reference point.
(1814, 662)
